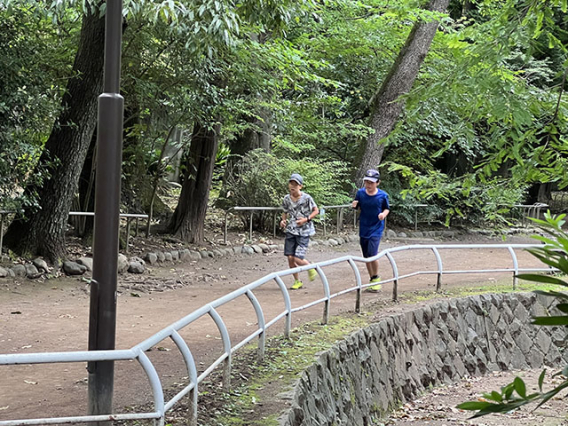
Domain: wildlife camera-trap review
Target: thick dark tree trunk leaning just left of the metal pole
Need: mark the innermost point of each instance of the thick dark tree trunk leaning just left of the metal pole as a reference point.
(42, 232)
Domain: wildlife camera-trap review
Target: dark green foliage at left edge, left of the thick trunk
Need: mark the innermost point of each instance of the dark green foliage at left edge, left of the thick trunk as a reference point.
(27, 101)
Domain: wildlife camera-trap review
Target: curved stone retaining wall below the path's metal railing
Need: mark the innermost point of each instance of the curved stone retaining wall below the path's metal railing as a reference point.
(391, 362)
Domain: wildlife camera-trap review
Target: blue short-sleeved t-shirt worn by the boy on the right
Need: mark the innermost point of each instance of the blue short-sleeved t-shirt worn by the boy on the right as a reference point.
(371, 206)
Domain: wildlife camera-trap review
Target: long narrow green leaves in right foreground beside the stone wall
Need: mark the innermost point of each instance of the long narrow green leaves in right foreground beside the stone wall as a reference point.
(554, 252)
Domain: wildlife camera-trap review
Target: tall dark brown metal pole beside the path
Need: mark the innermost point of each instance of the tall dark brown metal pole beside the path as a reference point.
(102, 317)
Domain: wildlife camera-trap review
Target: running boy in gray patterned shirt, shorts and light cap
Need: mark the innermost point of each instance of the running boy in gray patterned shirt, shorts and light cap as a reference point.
(302, 209)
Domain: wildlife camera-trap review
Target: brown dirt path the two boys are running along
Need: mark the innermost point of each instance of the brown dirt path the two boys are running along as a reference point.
(53, 316)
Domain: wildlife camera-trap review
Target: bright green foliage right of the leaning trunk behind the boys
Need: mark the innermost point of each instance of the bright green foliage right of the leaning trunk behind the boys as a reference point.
(488, 117)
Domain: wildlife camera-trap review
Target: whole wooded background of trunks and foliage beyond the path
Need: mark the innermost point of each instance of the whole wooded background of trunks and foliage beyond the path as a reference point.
(458, 103)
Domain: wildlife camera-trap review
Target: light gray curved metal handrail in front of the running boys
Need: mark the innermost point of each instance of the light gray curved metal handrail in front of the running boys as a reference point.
(138, 352)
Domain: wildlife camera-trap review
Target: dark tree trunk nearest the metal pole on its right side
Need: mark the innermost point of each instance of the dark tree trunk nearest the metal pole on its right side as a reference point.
(188, 220)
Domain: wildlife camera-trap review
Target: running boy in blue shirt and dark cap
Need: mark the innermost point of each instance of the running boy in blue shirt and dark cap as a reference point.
(374, 205)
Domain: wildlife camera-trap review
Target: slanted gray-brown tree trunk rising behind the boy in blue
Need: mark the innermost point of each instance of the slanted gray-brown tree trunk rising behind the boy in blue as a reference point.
(385, 108)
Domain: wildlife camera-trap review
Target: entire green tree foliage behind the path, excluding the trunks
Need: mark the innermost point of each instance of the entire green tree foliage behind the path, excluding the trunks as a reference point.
(487, 118)
